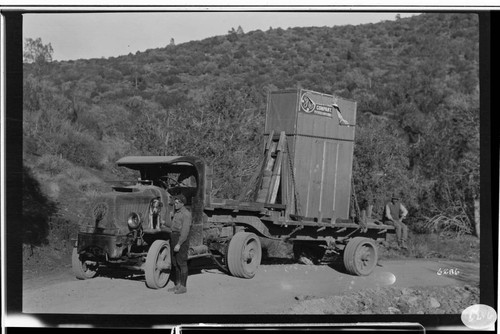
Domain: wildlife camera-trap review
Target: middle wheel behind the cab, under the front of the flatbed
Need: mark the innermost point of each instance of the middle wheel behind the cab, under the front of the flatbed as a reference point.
(244, 255)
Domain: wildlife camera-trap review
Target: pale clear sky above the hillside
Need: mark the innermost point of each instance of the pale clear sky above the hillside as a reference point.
(97, 35)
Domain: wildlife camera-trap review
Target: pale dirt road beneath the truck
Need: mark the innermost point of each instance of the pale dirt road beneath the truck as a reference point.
(274, 289)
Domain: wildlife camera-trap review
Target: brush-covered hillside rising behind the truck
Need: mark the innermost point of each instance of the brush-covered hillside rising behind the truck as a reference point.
(416, 82)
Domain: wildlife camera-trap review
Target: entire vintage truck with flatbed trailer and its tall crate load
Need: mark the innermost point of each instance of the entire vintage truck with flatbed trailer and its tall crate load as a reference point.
(301, 194)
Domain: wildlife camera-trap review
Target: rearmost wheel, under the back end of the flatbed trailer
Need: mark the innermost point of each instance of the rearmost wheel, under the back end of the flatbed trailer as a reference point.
(360, 256)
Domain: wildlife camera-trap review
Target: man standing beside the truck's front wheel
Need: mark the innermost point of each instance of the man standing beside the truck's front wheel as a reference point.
(179, 244)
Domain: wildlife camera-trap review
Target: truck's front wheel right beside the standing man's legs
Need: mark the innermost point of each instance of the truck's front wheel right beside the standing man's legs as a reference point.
(158, 262)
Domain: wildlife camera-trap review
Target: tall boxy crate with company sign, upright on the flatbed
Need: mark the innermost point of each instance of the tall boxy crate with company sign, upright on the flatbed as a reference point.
(321, 147)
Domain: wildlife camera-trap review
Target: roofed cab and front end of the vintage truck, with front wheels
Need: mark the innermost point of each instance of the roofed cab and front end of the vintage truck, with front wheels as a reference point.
(122, 226)
